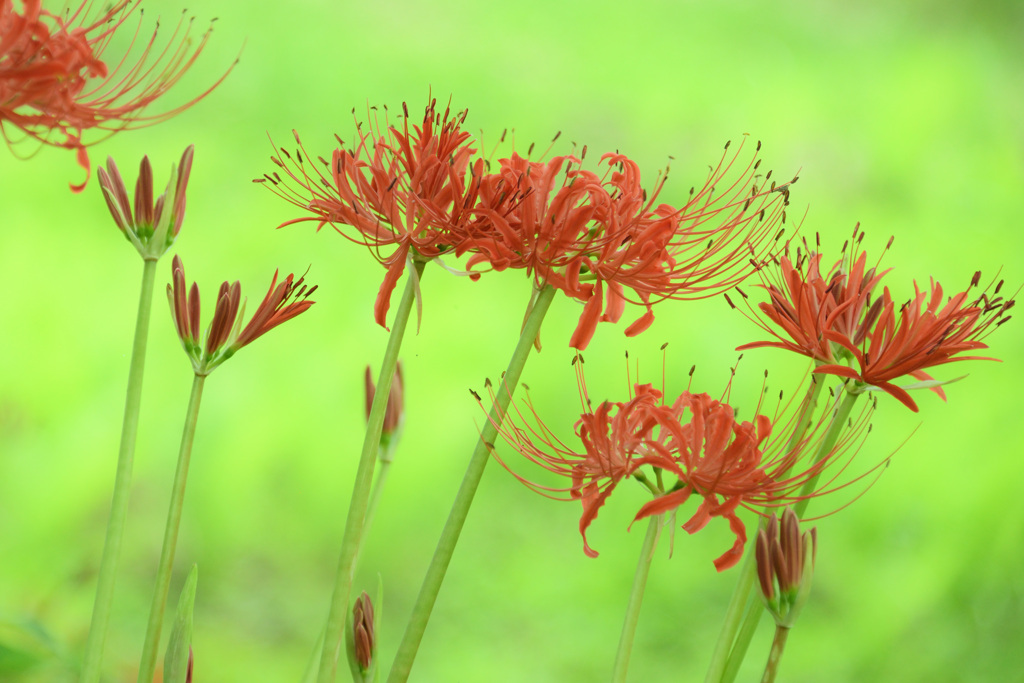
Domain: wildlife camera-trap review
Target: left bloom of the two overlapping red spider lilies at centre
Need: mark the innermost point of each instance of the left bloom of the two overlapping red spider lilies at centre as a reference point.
(397, 188)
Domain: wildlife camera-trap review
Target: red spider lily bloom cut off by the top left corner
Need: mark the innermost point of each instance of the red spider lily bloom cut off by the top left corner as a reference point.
(57, 82)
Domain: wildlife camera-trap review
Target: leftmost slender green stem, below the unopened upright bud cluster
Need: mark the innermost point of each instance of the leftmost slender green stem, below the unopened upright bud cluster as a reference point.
(122, 485)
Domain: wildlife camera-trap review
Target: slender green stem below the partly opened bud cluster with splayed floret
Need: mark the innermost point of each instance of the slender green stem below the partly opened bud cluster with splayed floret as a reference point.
(148, 664)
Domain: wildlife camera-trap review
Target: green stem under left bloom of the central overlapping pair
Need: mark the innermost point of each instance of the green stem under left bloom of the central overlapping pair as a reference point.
(361, 490)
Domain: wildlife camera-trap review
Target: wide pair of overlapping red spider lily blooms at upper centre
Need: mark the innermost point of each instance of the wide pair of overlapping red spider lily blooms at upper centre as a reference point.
(594, 236)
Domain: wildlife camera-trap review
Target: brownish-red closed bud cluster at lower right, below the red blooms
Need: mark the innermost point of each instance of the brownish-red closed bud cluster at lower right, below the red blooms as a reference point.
(786, 567)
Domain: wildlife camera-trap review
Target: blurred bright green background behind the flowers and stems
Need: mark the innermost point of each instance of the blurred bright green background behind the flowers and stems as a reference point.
(906, 117)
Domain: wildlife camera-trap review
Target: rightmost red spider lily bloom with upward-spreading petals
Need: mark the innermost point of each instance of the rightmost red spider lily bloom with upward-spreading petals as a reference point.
(840, 318)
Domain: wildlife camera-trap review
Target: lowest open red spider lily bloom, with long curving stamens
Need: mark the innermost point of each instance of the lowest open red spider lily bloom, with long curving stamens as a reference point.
(730, 464)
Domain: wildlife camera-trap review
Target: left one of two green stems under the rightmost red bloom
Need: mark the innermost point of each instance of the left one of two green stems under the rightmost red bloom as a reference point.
(731, 647)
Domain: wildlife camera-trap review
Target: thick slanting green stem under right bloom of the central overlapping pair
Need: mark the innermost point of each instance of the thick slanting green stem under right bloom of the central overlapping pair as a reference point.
(460, 508)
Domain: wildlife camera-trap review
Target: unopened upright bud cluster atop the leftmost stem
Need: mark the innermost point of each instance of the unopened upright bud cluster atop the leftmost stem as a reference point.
(153, 227)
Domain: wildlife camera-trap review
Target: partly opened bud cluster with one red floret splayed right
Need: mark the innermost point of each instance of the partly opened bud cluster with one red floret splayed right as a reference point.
(226, 335)
